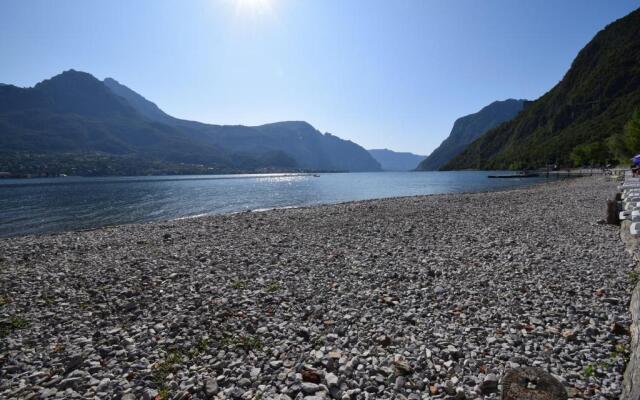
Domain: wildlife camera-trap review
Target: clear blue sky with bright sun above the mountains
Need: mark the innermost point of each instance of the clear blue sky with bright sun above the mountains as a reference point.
(392, 73)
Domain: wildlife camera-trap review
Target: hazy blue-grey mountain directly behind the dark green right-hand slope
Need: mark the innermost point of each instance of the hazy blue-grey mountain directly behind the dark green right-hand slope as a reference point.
(468, 128)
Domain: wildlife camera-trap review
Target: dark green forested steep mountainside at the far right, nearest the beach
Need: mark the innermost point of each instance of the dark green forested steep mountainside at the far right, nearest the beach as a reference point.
(590, 104)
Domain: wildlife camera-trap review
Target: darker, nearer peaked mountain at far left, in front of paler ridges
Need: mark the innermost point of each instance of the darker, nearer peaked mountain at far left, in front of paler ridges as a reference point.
(75, 113)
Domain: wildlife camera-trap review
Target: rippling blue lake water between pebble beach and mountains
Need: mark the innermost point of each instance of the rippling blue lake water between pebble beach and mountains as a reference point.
(57, 204)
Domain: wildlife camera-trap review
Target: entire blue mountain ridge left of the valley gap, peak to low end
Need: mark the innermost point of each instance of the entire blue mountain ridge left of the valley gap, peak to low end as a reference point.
(74, 116)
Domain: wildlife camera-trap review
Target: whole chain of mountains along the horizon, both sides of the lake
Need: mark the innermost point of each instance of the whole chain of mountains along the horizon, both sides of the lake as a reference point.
(76, 124)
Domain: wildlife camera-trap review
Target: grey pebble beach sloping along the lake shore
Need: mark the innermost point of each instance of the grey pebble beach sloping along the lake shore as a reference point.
(420, 297)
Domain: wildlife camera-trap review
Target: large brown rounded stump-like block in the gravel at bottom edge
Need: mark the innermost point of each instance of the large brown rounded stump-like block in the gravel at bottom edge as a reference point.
(531, 384)
